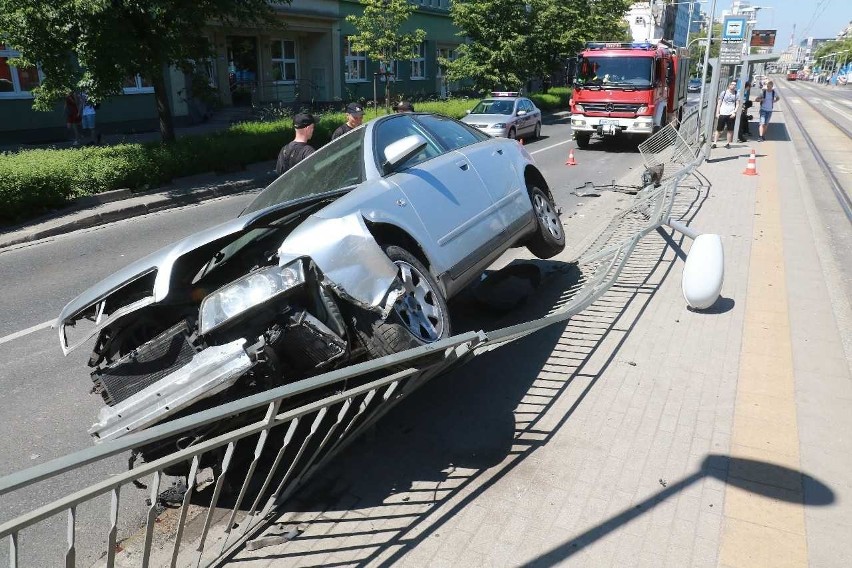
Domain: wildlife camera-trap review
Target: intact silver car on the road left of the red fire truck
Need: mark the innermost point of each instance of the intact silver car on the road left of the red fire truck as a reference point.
(506, 116)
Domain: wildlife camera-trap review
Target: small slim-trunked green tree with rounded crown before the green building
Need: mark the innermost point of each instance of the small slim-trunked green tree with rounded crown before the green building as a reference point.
(380, 33)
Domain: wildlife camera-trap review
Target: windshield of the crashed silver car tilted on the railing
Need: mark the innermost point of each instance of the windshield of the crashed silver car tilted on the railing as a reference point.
(336, 165)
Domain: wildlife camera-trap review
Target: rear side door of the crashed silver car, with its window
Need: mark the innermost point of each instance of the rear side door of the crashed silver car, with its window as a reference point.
(493, 162)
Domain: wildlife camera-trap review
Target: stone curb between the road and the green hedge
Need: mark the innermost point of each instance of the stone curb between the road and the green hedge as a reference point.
(154, 201)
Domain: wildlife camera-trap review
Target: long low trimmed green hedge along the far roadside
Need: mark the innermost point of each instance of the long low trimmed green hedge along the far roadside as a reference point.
(33, 182)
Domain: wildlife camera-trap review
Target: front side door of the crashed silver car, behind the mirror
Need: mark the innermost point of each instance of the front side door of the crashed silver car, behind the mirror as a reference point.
(448, 196)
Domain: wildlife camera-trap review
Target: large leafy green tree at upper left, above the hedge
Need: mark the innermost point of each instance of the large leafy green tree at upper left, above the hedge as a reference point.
(95, 45)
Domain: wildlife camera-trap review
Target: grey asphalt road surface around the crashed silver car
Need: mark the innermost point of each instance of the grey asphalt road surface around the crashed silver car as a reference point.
(46, 408)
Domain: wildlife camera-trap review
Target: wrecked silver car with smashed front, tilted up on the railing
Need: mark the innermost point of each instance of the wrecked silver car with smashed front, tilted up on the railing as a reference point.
(349, 255)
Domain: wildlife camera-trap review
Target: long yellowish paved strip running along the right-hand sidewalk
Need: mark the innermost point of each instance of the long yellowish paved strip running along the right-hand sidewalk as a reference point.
(764, 519)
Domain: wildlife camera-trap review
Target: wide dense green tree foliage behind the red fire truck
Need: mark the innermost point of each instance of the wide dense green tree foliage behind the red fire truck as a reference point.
(511, 41)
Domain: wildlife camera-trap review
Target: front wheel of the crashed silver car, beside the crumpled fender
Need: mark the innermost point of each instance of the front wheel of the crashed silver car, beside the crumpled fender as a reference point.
(420, 316)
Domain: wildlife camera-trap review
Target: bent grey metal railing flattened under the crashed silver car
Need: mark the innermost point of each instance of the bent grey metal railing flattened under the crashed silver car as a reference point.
(288, 439)
